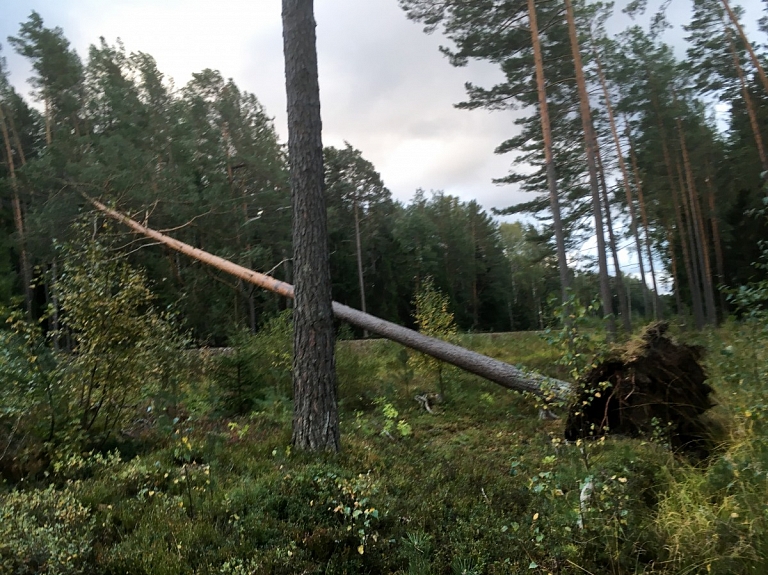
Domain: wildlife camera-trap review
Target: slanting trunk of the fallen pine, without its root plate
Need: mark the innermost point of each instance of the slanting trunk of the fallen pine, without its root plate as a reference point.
(492, 369)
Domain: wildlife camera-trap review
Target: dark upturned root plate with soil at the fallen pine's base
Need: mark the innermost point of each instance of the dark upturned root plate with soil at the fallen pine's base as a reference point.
(651, 387)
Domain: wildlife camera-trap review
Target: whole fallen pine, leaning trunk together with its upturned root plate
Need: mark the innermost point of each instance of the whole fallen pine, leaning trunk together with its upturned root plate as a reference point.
(651, 383)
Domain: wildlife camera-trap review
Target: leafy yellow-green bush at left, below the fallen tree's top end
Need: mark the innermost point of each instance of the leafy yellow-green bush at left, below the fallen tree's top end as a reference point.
(123, 348)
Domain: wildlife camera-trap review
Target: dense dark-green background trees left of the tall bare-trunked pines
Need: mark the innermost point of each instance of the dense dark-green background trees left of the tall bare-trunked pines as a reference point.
(204, 163)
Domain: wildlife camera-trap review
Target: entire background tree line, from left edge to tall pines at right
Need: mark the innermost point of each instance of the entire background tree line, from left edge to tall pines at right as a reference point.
(620, 146)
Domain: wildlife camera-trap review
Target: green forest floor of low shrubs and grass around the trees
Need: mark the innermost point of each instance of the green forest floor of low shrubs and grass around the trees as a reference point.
(480, 486)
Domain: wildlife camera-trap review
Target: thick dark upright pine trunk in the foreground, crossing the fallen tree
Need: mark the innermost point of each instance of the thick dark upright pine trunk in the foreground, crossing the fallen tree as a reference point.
(315, 415)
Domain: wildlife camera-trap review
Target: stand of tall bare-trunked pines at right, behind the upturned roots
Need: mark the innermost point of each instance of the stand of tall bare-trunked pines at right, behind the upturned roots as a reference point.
(623, 136)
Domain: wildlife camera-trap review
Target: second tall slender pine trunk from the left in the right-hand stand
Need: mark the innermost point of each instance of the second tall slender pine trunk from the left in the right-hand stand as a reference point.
(586, 122)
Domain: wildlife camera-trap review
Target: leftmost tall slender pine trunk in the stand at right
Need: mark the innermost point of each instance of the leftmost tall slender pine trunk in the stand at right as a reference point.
(549, 158)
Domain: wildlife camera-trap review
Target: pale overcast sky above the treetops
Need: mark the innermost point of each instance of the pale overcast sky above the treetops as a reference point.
(385, 88)
